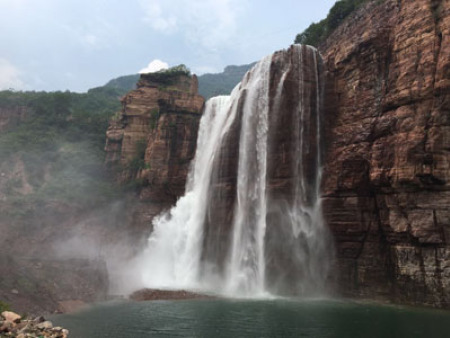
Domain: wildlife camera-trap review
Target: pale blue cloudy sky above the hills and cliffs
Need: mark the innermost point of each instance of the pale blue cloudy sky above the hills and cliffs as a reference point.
(80, 44)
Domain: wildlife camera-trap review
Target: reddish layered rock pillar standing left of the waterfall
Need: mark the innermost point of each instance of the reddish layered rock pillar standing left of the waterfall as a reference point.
(154, 139)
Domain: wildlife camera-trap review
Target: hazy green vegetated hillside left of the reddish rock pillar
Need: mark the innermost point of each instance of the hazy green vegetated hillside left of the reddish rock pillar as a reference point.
(60, 145)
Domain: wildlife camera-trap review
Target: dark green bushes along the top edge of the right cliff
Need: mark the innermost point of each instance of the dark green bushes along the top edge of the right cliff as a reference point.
(318, 32)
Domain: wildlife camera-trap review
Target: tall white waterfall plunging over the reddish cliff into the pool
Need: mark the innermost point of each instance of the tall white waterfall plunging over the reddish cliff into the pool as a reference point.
(251, 221)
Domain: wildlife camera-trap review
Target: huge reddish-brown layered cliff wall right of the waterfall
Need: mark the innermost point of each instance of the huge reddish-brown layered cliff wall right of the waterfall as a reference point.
(387, 167)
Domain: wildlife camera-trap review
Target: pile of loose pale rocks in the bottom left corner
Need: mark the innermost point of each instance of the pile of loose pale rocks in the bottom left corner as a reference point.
(12, 325)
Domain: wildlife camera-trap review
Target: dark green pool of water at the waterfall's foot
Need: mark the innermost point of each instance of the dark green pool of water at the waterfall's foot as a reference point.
(274, 318)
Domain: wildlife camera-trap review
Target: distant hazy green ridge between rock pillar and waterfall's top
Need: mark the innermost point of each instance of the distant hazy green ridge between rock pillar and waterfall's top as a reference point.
(210, 85)
